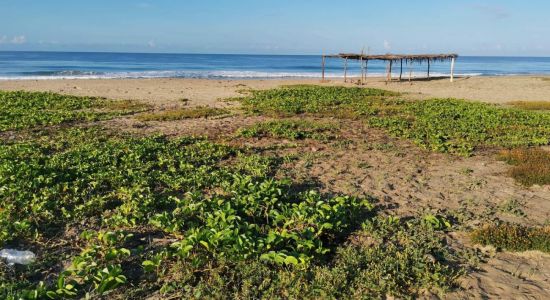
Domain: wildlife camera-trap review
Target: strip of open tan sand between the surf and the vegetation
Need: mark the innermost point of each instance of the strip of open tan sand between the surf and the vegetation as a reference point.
(166, 92)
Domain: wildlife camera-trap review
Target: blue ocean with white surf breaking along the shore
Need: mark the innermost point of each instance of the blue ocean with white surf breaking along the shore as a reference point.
(93, 65)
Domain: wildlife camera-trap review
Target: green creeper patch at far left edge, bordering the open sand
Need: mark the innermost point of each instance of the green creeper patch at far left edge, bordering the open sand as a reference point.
(21, 110)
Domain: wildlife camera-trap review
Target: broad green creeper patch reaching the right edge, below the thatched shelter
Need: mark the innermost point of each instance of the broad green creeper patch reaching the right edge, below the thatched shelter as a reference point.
(457, 126)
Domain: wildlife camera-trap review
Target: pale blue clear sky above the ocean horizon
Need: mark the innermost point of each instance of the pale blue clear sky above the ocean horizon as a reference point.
(490, 27)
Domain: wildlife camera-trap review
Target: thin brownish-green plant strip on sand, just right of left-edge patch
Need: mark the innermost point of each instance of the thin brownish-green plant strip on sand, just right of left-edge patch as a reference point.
(184, 113)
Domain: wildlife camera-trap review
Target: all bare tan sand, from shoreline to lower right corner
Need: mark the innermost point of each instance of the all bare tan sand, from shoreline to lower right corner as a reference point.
(406, 179)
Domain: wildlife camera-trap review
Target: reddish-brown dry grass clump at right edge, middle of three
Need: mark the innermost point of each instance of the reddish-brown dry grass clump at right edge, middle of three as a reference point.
(531, 166)
